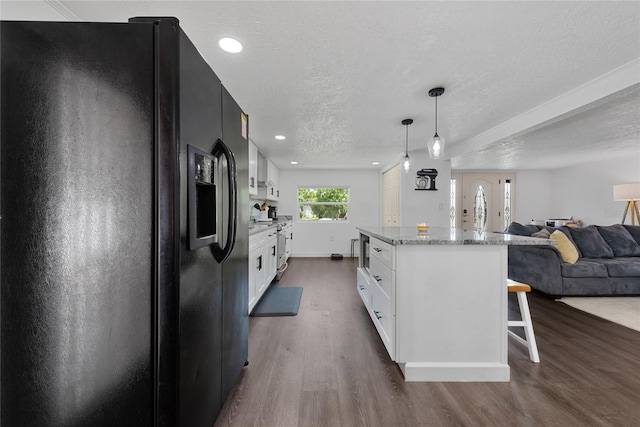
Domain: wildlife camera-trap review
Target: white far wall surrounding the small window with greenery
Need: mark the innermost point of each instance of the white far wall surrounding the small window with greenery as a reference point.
(322, 238)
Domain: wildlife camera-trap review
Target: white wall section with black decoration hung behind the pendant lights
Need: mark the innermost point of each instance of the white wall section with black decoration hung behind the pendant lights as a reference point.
(429, 206)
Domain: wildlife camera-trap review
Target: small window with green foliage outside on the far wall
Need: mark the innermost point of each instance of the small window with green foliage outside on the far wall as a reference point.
(323, 204)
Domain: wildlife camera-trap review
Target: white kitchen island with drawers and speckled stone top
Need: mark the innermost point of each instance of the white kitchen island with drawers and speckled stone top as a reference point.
(439, 300)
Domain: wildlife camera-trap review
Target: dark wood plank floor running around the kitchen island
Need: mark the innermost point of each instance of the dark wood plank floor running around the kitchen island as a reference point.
(327, 367)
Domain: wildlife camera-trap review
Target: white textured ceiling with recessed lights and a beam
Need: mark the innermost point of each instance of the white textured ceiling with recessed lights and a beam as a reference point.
(528, 85)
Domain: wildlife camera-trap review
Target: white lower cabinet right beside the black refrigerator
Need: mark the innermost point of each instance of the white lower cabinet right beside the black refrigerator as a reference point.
(262, 264)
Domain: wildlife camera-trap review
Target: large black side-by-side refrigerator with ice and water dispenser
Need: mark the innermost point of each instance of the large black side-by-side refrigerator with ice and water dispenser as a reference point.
(124, 235)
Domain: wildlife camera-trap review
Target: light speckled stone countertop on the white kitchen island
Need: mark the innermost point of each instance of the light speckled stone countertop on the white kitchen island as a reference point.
(448, 236)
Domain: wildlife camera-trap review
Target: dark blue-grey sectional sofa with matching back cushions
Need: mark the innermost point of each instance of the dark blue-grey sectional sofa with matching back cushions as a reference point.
(608, 261)
